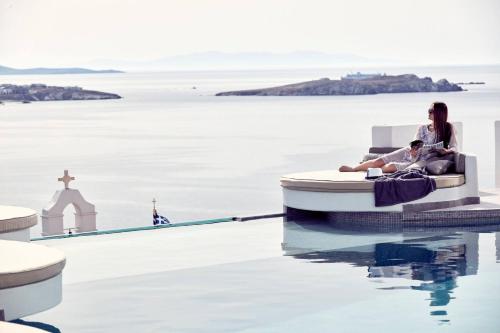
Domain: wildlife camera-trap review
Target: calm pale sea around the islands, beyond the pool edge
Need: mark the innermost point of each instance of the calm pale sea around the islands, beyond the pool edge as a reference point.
(203, 156)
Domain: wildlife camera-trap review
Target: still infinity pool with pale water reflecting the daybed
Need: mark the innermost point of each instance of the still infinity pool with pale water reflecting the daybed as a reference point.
(279, 276)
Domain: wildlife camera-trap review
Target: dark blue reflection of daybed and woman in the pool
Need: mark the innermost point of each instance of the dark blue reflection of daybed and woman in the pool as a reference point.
(436, 258)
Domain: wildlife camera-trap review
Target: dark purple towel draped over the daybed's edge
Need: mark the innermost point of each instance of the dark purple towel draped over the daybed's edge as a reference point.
(402, 186)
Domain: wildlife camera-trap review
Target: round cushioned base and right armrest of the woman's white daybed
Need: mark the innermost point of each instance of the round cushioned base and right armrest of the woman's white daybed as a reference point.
(350, 194)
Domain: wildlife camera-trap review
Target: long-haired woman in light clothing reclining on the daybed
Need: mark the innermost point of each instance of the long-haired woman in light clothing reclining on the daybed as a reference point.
(439, 130)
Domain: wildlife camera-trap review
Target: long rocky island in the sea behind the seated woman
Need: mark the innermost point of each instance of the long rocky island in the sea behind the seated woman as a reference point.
(354, 84)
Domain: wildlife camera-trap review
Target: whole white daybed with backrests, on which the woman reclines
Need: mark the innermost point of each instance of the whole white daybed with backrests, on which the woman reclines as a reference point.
(351, 196)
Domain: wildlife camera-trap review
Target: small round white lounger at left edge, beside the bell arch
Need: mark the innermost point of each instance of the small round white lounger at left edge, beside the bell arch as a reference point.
(15, 222)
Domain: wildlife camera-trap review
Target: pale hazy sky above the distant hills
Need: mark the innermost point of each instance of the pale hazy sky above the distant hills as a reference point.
(71, 32)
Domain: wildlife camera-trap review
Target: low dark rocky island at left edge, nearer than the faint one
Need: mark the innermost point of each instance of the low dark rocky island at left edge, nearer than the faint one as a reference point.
(42, 92)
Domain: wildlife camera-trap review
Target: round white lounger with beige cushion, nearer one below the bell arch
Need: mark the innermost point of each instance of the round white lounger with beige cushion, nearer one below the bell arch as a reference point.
(30, 278)
